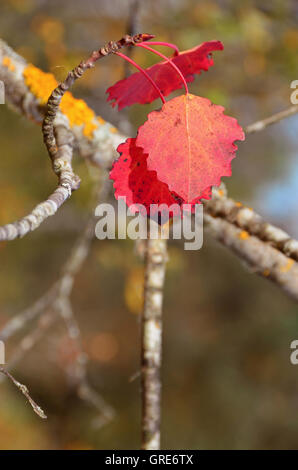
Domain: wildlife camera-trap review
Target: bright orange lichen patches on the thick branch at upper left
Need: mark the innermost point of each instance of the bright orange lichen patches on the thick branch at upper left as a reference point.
(42, 84)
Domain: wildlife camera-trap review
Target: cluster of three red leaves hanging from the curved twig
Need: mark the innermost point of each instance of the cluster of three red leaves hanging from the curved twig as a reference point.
(184, 148)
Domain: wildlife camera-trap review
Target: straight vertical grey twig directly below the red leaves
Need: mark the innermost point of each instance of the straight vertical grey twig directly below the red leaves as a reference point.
(155, 266)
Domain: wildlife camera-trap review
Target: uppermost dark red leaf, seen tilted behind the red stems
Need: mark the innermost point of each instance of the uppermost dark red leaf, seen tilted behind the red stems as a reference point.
(137, 89)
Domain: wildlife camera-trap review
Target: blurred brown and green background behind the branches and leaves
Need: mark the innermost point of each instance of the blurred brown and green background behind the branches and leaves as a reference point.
(227, 378)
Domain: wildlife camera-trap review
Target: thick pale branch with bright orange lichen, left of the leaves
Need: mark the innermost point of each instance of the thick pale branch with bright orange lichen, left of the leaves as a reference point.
(26, 91)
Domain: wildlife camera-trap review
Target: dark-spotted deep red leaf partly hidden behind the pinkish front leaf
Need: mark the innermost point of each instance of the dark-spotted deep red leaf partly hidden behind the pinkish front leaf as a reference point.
(133, 181)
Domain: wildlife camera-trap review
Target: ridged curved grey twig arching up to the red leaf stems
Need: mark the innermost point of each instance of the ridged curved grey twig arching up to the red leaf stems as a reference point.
(59, 139)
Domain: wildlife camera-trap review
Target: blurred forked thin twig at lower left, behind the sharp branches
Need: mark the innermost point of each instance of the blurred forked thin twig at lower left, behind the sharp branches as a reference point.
(58, 297)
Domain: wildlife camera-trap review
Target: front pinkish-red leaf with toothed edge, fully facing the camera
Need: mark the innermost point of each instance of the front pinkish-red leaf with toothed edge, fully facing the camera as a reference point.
(190, 144)
